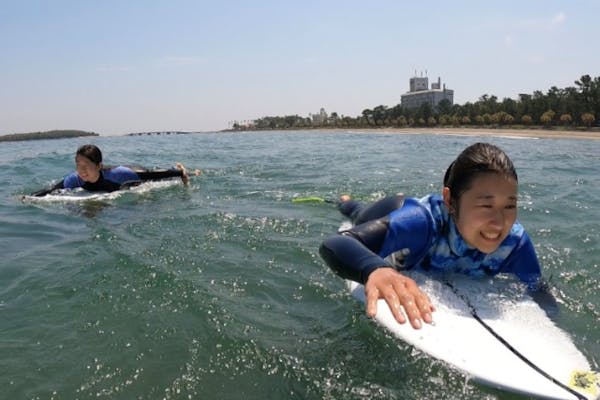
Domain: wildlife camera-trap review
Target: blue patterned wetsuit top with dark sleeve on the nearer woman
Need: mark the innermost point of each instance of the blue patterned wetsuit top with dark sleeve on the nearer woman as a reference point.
(422, 234)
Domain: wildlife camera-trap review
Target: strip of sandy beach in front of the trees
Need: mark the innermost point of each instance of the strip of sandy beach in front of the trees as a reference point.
(525, 133)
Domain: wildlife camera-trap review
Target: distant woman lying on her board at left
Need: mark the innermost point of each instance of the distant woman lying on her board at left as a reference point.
(91, 175)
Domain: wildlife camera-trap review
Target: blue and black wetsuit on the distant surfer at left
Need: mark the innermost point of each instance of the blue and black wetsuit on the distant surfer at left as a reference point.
(112, 179)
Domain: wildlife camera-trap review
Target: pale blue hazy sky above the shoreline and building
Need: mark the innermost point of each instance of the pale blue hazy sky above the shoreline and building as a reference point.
(122, 66)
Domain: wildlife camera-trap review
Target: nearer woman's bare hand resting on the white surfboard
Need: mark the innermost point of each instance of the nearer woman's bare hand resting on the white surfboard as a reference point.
(402, 295)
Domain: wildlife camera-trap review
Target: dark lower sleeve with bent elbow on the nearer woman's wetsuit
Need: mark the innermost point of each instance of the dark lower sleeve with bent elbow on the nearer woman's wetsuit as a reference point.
(352, 254)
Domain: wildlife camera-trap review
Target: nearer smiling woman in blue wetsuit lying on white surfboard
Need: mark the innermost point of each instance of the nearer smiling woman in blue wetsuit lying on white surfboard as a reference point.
(471, 228)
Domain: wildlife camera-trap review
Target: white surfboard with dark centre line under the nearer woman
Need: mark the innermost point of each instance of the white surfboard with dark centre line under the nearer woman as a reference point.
(537, 358)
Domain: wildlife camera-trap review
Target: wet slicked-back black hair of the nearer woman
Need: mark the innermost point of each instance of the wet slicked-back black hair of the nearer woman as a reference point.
(475, 160)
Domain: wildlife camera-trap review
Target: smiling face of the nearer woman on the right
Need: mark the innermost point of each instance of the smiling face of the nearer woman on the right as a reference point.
(487, 211)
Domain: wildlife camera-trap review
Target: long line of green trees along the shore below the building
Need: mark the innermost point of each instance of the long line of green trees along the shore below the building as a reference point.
(572, 107)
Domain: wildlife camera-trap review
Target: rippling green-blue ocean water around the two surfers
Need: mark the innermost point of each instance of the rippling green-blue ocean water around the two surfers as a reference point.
(217, 290)
